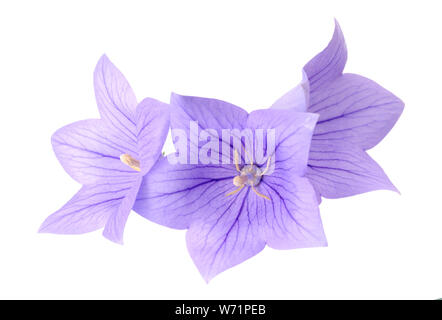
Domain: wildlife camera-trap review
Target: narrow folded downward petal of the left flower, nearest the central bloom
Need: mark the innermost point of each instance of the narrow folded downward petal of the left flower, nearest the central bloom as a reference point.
(117, 221)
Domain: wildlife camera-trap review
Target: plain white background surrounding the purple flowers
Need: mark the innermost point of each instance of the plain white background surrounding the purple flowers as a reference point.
(381, 244)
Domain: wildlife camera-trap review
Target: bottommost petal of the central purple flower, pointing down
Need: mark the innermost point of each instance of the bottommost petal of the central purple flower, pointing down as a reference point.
(225, 237)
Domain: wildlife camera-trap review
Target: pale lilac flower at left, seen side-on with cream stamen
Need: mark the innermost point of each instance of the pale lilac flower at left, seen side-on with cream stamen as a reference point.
(108, 156)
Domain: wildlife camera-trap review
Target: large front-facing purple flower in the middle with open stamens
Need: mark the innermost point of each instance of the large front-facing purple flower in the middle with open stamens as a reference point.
(235, 207)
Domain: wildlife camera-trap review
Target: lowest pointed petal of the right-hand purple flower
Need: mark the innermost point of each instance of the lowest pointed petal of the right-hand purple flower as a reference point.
(339, 170)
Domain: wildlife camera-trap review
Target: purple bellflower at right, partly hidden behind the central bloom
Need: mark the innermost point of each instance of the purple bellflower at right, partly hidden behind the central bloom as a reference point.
(355, 114)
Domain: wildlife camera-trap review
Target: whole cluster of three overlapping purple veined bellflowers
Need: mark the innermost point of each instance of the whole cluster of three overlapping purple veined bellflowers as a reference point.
(237, 181)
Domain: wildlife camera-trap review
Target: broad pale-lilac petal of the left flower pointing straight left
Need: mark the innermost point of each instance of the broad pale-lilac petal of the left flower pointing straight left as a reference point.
(90, 152)
